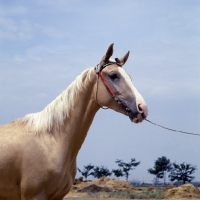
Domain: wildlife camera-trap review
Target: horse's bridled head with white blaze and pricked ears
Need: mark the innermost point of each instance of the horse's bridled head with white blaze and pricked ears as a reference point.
(115, 90)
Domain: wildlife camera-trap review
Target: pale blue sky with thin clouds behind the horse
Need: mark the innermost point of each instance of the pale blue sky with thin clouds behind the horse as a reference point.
(44, 45)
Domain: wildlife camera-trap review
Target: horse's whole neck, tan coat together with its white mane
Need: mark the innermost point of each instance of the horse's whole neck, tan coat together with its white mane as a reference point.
(70, 115)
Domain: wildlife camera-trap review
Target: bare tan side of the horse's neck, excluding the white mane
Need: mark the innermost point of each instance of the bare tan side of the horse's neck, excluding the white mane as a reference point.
(76, 126)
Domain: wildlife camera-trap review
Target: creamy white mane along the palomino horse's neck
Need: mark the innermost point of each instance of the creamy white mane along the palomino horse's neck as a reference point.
(58, 109)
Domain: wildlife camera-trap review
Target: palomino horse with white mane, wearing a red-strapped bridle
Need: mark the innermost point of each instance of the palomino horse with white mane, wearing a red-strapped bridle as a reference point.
(38, 152)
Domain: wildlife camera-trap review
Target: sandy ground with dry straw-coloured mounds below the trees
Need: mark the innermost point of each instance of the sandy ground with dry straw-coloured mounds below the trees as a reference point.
(104, 186)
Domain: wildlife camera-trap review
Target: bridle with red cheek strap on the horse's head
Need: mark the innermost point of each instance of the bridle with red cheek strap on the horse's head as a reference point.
(98, 71)
